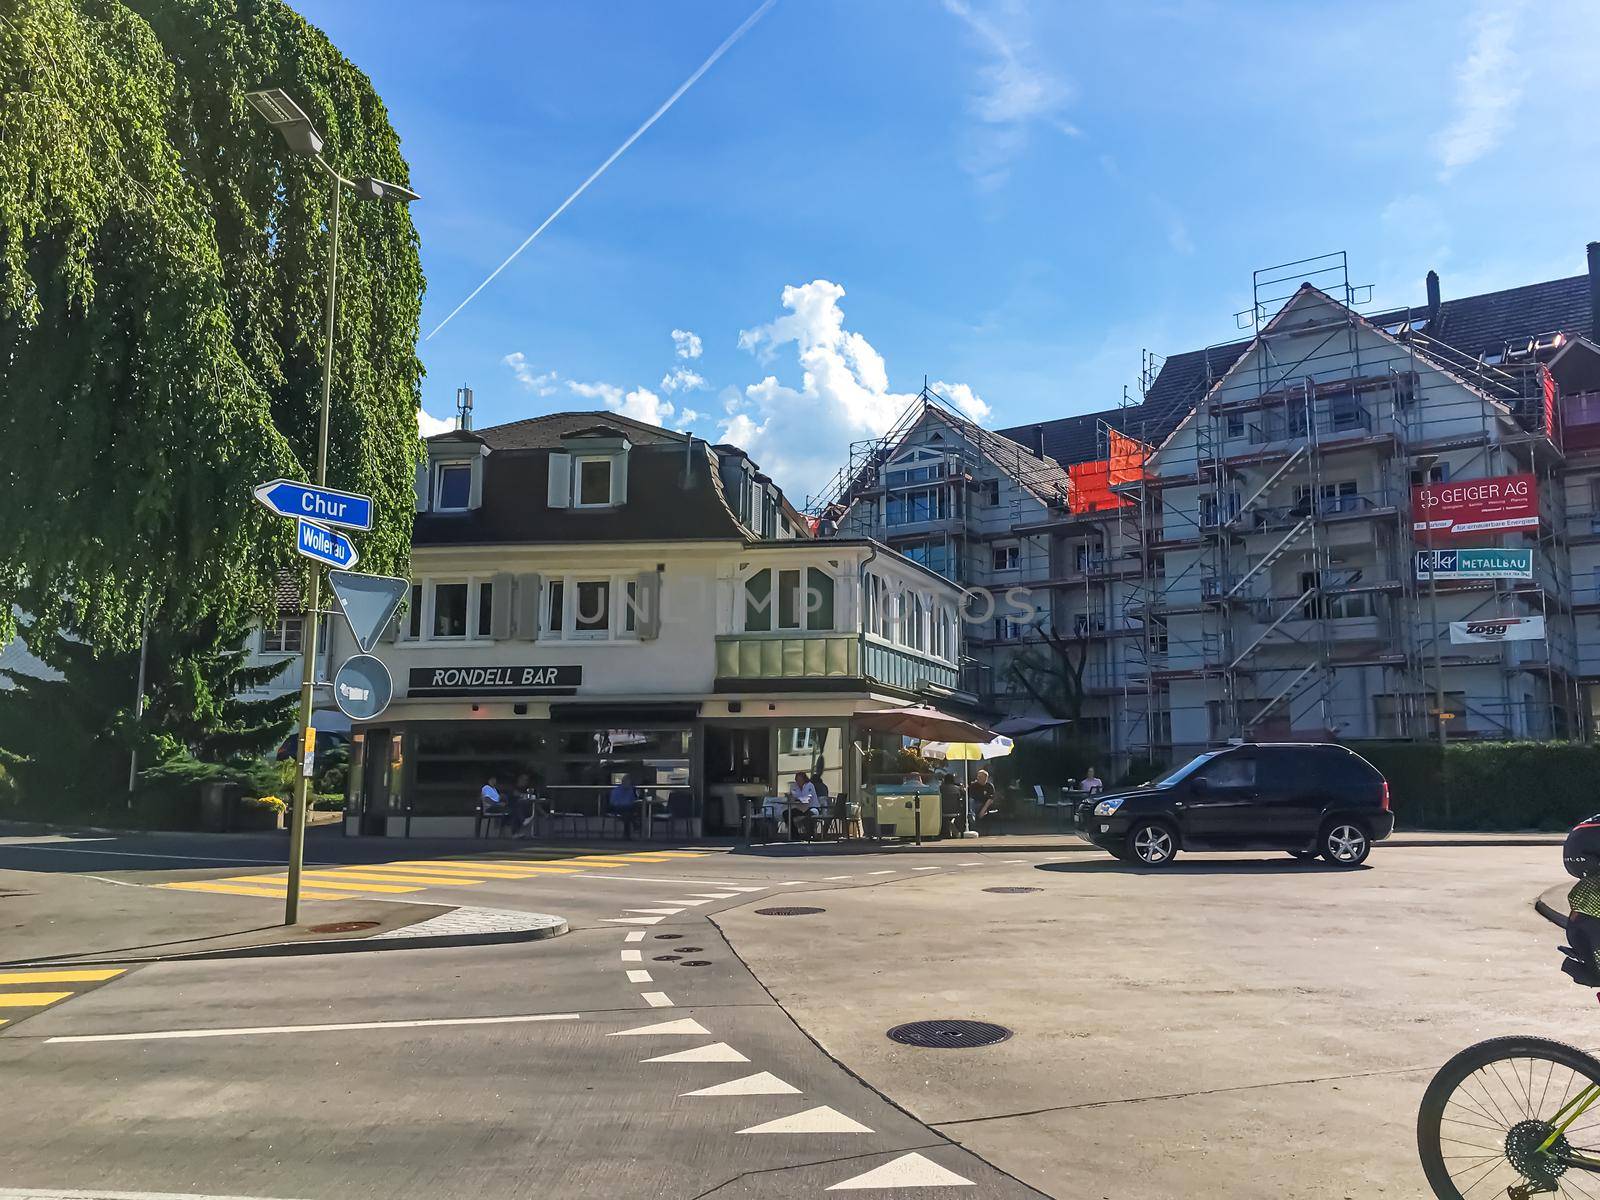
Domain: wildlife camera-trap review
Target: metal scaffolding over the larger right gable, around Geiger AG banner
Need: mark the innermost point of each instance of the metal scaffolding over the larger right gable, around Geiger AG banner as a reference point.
(1305, 452)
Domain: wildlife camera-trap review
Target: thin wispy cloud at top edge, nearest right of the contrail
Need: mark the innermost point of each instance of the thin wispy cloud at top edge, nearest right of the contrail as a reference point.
(1014, 94)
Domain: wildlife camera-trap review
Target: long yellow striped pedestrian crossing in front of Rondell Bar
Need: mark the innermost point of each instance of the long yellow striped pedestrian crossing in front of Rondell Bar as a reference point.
(406, 876)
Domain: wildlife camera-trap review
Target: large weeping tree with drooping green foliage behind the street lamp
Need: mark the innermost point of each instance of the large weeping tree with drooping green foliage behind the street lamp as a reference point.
(161, 311)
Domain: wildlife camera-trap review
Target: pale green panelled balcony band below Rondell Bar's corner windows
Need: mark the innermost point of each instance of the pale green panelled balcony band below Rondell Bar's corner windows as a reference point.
(825, 662)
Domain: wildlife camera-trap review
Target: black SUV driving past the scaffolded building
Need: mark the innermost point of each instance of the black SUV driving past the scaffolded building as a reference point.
(1305, 798)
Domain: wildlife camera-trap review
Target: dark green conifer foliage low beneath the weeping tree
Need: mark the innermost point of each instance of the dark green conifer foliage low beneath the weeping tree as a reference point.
(73, 735)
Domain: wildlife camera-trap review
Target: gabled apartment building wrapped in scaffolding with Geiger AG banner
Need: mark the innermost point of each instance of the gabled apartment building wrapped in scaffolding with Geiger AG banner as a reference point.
(1238, 554)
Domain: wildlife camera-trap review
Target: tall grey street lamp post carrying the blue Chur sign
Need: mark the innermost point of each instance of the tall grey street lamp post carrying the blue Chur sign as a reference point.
(302, 137)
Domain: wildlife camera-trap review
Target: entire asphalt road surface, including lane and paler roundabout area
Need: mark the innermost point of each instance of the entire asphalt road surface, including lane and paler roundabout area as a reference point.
(1236, 1026)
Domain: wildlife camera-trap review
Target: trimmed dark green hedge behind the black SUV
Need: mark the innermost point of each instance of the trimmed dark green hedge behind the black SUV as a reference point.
(1489, 786)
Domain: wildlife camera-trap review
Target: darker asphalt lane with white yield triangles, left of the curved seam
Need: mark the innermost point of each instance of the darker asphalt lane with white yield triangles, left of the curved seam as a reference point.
(529, 1070)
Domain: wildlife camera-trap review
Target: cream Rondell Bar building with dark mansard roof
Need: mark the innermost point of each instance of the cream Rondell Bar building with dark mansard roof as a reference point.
(596, 598)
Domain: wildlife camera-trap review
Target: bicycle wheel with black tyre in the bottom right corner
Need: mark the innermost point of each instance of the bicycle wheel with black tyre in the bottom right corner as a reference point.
(1492, 1108)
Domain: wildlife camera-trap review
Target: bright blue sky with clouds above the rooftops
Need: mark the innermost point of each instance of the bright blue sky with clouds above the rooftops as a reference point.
(1007, 199)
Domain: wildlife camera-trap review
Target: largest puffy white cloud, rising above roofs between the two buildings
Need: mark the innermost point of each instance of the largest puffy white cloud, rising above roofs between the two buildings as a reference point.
(802, 434)
